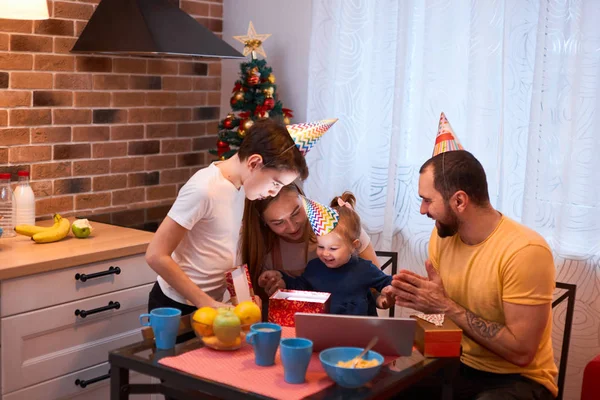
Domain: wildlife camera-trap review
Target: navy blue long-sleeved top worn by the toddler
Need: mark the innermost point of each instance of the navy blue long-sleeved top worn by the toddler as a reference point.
(349, 284)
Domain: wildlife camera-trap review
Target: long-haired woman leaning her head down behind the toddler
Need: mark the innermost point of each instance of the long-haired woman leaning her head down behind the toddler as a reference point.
(276, 235)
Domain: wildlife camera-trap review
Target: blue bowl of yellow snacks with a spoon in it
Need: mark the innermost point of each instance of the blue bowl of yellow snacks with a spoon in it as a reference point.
(349, 377)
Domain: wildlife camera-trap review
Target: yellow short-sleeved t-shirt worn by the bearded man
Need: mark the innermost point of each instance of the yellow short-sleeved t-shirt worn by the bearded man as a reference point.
(514, 265)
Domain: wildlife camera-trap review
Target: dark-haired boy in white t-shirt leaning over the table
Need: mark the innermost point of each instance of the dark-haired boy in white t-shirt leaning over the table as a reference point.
(196, 244)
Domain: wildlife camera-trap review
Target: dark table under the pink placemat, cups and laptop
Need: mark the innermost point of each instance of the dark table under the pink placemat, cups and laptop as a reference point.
(143, 358)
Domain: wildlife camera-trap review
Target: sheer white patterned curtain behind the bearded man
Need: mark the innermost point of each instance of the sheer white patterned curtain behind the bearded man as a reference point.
(520, 84)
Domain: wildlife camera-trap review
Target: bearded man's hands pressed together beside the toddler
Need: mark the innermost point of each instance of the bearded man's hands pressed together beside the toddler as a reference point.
(419, 293)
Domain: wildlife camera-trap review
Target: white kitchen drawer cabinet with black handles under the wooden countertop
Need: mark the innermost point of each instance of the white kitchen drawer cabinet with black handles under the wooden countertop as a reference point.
(56, 329)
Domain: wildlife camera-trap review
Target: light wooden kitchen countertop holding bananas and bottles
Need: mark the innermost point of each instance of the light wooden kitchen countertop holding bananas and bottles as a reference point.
(21, 256)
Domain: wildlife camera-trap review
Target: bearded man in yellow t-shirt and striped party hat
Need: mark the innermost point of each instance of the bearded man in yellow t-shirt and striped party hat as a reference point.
(489, 274)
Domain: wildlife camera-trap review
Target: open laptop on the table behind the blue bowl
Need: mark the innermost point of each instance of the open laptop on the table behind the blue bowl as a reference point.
(396, 335)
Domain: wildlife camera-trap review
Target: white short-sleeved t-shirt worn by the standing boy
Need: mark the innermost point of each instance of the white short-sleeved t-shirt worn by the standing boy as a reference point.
(211, 209)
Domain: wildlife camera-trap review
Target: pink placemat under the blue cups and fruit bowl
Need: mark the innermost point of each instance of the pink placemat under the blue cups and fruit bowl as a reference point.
(237, 368)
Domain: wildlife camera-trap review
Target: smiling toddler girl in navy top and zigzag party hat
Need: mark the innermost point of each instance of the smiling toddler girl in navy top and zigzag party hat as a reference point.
(337, 270)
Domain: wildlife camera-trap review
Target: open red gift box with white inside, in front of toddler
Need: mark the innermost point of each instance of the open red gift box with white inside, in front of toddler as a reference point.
(284, 304)
